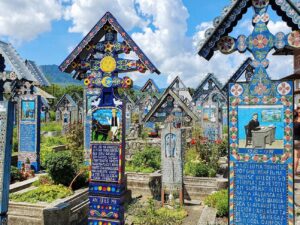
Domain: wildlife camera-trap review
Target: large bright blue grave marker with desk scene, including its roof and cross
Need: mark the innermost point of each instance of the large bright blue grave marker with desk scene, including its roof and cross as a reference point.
(260, 116)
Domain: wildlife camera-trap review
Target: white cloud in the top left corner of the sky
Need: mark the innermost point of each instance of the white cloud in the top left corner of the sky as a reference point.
(24, 20)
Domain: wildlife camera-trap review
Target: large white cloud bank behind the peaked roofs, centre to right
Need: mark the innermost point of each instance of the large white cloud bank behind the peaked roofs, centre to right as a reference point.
(163, 37)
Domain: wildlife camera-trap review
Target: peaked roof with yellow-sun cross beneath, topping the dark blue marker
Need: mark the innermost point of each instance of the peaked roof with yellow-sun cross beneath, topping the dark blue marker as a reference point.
(96, 59)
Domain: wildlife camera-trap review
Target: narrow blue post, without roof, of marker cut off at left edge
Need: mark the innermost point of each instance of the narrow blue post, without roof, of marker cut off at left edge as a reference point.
(6, 130)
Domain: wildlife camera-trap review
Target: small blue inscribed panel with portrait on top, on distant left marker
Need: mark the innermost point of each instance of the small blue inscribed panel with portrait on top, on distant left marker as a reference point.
(29, 131)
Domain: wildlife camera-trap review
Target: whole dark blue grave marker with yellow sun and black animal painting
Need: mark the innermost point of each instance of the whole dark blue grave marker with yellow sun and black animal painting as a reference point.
(96, 60)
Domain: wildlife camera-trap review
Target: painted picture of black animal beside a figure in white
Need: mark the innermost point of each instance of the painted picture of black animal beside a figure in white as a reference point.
(106, 125)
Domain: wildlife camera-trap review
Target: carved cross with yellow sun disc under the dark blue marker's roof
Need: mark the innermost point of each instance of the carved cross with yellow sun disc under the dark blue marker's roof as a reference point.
(105, 65)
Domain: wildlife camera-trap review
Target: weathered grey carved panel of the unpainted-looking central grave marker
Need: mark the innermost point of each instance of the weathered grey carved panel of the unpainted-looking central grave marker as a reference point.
(171, 154)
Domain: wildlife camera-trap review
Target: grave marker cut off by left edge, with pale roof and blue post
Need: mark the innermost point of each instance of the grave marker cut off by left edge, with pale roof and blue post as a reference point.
(11, 85)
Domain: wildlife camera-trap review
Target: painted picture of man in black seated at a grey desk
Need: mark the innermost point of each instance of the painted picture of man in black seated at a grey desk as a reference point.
(261, 127)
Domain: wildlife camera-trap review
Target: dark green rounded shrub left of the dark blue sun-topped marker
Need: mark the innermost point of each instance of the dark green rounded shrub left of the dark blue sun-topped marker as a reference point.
(60, 167)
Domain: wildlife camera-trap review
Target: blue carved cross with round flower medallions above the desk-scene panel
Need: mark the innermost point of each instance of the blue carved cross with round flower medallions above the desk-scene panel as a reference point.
(260, 42)
